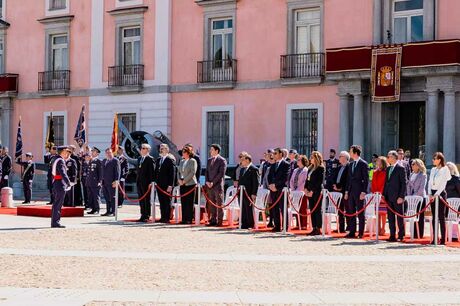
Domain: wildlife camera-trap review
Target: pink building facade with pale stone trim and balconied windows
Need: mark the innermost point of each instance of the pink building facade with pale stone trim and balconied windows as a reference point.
(248, 74)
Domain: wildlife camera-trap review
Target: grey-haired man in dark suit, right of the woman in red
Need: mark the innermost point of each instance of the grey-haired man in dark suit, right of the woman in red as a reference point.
(394, 192)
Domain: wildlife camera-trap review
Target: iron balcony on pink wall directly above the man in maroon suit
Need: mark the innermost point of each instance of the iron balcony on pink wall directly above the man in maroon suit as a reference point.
(217, 74)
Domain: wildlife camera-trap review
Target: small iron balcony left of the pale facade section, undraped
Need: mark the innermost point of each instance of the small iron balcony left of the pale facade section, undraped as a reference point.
(54, 83)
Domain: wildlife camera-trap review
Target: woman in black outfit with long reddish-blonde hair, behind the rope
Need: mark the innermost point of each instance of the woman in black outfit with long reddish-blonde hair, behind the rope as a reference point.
(313, 189)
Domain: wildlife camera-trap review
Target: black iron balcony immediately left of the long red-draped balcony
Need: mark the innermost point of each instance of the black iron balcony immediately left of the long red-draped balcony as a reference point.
(307, 68)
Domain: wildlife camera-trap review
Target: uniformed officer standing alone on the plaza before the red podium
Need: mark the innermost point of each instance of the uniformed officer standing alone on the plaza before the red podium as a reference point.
(61, 184)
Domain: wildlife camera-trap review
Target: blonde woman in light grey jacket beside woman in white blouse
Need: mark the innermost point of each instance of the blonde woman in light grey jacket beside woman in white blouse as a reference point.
(416, 186)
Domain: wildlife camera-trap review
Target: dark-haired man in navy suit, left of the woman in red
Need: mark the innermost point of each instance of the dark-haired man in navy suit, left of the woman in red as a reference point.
(358, 181)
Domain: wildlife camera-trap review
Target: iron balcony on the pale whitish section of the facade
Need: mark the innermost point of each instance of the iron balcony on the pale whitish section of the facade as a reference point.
(129, 78)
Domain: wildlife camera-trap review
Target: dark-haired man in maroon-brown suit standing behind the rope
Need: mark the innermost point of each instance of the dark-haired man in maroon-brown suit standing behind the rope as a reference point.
(215, 176)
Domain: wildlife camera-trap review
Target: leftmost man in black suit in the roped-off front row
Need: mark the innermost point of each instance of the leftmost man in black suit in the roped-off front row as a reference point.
(145, 177)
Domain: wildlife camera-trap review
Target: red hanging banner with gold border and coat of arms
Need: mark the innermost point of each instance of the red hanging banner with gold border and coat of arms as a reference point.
(386, 74)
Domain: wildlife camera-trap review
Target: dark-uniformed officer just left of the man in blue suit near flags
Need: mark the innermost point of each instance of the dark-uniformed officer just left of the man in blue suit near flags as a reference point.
(94, 181)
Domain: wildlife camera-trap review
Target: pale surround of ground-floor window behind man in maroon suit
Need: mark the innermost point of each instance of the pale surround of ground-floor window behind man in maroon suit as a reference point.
(231, 131)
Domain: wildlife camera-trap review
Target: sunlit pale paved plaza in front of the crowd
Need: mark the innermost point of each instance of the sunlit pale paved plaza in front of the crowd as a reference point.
(98, 261)
